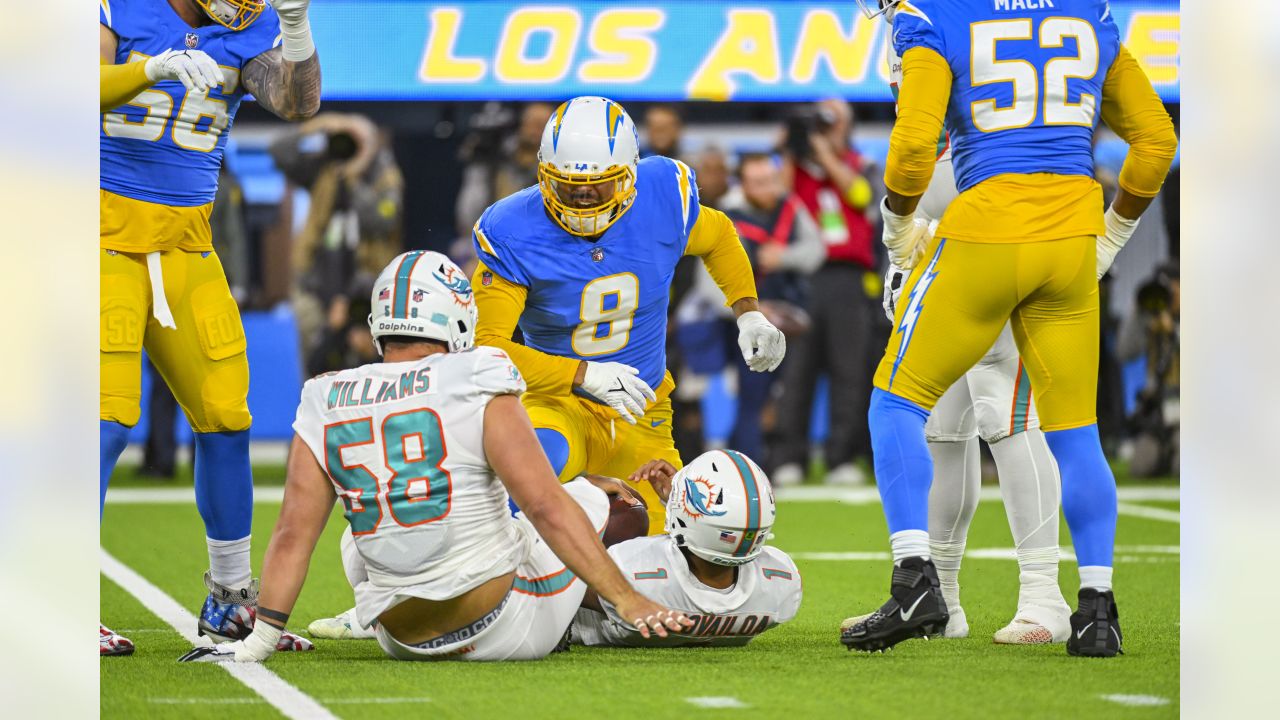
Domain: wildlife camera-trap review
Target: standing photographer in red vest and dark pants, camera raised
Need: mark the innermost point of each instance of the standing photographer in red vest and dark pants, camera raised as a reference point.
(831, 180)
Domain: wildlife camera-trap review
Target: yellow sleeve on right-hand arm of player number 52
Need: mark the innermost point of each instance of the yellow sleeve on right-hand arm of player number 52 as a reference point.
(1133, 111)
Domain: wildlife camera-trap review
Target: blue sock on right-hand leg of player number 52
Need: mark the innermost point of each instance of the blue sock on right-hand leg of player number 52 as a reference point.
(1089, 494)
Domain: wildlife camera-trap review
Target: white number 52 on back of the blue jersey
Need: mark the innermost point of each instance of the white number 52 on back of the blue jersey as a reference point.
(986, 70)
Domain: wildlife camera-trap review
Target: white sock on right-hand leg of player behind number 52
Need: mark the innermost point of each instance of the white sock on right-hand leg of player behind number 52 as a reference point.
(1030, 486)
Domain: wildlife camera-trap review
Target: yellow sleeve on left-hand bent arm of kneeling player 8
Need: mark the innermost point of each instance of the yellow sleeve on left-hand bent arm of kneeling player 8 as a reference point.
(500, 304)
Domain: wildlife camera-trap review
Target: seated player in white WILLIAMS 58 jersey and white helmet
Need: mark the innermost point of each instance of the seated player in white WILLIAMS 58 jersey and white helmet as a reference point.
(423, 450)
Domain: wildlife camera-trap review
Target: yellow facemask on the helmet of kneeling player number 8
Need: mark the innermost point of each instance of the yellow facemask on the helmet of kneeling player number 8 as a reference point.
(563, 193)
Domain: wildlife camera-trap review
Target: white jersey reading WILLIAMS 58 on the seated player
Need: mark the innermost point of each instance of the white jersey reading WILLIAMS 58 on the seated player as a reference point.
(404, 446)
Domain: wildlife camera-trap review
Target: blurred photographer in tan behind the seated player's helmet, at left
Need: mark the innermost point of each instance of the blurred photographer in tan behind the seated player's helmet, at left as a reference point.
(354, 220)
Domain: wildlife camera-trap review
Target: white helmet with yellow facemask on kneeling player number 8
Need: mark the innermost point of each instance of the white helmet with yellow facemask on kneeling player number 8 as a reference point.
(587, 165)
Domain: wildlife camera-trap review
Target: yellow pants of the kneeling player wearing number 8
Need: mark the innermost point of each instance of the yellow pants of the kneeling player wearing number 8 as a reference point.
(605, 445)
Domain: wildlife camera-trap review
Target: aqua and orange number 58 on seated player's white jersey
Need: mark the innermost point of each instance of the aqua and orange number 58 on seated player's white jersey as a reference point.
(413, 446)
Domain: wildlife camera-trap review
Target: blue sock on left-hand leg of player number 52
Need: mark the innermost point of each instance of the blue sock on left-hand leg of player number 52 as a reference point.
(904, 470)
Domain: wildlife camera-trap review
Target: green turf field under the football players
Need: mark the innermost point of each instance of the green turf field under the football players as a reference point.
(798, 671)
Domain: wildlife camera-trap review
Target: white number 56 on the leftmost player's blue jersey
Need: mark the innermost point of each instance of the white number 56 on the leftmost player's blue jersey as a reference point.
(196, 108)
